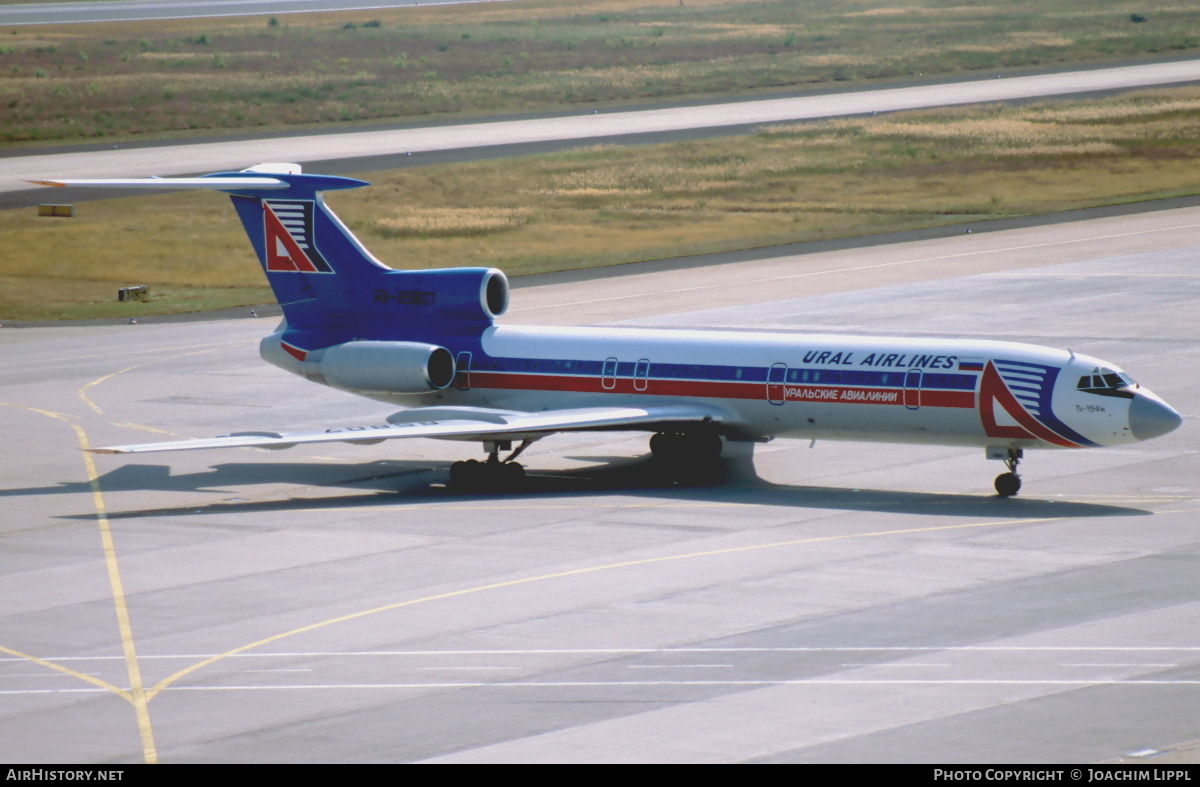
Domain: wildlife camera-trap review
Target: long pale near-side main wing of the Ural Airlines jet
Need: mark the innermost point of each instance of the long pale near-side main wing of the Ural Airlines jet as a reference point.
(454, 423)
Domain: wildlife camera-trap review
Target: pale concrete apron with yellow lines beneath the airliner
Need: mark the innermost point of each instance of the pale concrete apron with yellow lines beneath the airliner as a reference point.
(843, 603)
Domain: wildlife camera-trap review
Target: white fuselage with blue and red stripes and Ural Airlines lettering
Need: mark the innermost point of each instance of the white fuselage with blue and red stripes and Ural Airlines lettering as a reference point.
(808, 386)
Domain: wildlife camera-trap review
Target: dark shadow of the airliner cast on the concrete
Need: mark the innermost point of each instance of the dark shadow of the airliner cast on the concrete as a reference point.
(389, 484)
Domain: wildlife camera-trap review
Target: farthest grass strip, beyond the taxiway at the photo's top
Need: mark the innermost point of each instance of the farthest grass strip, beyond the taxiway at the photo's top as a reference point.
(188, 77)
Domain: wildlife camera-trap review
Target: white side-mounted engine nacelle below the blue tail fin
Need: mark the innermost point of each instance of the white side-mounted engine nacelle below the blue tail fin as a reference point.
(383, 368)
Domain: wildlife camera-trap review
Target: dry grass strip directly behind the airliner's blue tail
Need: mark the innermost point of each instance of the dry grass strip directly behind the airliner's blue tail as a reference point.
(617, 205)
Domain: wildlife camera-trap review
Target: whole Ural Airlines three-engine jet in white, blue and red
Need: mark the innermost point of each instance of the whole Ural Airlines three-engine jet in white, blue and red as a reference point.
(429, 341)
